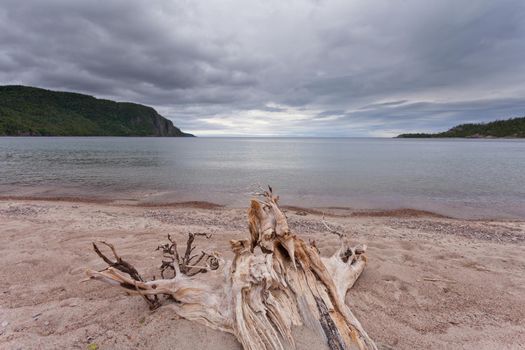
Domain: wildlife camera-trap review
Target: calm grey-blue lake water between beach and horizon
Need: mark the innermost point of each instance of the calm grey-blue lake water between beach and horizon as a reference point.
(464, 178)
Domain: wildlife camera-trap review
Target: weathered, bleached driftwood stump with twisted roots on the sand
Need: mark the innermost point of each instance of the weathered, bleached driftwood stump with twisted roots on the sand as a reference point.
(265, 293)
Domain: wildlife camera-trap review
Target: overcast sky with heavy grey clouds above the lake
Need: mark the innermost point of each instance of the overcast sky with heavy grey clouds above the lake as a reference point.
(299, 68)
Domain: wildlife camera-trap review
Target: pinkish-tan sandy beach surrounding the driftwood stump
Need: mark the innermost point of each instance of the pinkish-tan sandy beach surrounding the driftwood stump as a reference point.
(431, 282)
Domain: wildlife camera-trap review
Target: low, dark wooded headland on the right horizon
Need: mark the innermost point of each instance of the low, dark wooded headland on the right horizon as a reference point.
(511, 128)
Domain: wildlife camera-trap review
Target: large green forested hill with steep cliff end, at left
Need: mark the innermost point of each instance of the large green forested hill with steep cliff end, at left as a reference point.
(32, 111)
